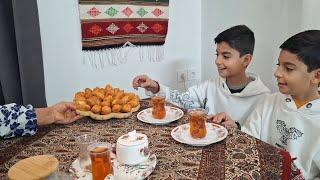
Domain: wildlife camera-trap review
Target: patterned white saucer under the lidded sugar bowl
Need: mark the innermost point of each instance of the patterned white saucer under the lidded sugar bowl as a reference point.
(121, 171)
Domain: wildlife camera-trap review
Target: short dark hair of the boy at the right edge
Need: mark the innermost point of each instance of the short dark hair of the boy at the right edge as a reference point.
(306, 45)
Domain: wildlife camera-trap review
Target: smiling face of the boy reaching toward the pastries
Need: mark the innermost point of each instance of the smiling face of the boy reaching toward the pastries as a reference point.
(228, 61)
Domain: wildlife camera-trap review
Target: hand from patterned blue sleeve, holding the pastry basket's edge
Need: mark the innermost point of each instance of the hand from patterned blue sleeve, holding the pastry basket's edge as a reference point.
(61, 113)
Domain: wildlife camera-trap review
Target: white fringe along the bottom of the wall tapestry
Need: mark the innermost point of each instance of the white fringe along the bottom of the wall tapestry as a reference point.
(117, 56)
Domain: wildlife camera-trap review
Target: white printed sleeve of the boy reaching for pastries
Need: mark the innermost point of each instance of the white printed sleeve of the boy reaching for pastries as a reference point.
(192, 98)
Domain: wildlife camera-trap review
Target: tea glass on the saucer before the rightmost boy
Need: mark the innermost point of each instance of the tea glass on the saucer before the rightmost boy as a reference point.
(197, 122)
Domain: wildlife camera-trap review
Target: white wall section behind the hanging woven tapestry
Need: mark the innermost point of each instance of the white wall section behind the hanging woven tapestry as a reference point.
(66, 74)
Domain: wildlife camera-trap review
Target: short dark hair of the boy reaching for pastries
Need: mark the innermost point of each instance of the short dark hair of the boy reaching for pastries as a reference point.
(240, 38)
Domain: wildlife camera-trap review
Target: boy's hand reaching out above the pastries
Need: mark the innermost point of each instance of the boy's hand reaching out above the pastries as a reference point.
(145, 82)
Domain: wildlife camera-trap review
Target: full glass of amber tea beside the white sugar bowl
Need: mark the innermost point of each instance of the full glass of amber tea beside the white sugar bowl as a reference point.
(100, 160)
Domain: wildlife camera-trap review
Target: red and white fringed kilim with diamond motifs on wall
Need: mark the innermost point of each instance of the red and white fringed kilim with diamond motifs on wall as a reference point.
(112, 28)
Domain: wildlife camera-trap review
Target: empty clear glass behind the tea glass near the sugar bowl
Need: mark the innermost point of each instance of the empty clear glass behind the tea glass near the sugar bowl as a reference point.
(83, 142)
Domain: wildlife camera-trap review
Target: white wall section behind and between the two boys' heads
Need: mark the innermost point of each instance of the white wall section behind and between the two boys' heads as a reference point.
(272, 21)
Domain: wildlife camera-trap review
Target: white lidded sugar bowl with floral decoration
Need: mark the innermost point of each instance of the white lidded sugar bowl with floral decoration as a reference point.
(132, 148)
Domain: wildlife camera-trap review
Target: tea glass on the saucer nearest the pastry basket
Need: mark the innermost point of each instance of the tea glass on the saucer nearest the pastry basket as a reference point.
(158, 105)
